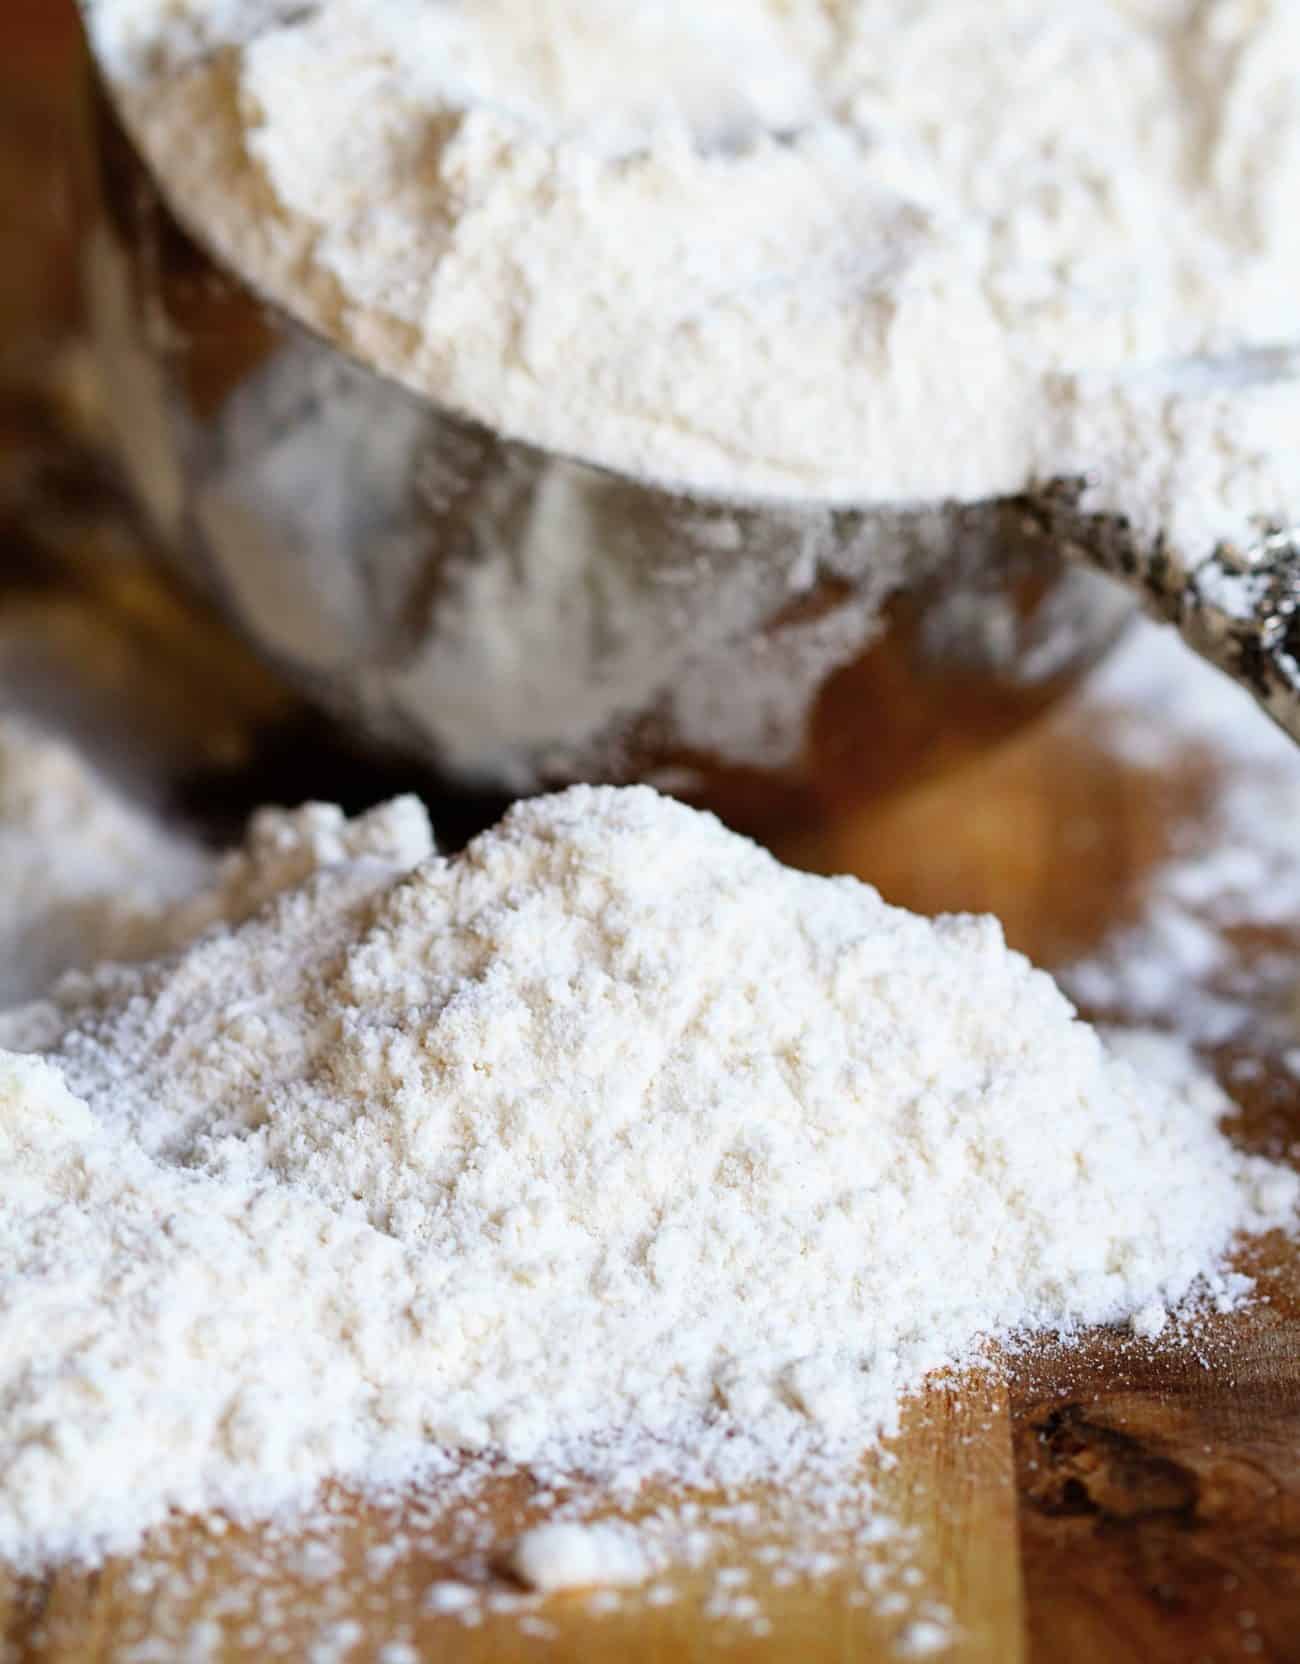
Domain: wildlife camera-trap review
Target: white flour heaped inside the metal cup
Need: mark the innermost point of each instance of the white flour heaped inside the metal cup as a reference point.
(816, 249)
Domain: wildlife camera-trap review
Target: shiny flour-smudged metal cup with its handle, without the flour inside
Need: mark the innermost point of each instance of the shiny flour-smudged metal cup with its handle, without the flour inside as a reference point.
(520, 620)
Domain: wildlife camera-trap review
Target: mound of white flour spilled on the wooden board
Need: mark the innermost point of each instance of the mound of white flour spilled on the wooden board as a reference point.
(610, 1146)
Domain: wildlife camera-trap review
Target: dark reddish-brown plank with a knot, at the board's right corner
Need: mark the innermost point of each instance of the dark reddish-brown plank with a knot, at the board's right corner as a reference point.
(1161, 1502)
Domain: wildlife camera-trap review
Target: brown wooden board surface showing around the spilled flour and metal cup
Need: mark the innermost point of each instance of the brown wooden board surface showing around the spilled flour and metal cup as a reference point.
(1118, 1502)
